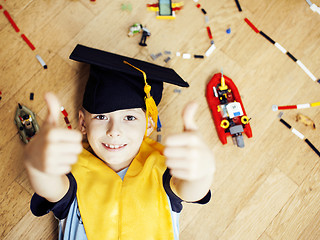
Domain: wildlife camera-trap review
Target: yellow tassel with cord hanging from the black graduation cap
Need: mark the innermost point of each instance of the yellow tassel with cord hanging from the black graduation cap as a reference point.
(151, 107)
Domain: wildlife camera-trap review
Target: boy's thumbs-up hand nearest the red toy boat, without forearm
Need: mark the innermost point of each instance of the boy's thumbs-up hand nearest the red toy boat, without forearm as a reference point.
(188, 156)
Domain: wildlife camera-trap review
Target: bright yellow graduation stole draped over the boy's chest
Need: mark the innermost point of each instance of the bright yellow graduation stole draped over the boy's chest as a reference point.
(135, 208)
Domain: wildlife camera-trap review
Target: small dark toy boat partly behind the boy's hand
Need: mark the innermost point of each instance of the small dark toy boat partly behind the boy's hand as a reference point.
(26, 122)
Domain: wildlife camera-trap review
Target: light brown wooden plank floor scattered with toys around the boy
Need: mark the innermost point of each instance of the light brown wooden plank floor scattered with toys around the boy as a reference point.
(269, 190)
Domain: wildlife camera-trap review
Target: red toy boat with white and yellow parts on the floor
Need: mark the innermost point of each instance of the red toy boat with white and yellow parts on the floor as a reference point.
(227, 110)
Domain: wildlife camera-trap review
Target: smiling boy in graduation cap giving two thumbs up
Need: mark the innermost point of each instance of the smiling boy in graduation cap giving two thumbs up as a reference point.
(125, 186)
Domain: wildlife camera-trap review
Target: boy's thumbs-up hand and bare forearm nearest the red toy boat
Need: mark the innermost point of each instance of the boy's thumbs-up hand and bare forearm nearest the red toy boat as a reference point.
(189, 159)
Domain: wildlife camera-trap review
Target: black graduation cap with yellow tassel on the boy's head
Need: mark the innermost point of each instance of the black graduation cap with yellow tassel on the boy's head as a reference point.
(117, 82)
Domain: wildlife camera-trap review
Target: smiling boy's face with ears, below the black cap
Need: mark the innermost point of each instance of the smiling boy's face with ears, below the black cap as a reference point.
(115, 137)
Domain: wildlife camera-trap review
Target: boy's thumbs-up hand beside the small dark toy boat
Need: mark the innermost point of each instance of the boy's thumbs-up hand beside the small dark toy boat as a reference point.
(53, 150)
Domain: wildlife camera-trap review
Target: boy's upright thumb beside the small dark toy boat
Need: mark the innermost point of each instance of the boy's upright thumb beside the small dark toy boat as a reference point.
(53, 105)
